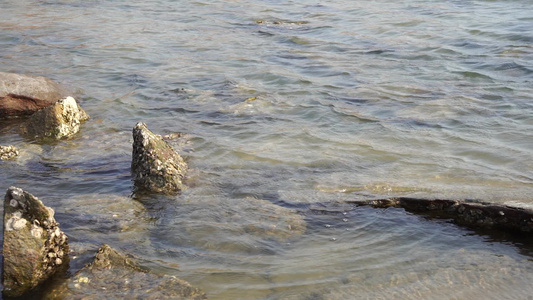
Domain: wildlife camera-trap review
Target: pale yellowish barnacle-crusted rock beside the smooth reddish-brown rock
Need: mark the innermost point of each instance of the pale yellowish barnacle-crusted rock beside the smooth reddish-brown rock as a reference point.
(60, 120)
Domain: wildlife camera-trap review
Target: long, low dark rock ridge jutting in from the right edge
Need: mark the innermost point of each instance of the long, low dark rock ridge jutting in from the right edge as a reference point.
(470, 213)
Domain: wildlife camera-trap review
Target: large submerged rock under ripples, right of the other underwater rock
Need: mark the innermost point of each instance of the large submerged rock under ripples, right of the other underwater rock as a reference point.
(240, 225)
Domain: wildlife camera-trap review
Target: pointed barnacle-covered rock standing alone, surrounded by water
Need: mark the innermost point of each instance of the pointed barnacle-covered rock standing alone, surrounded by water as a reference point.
(155, 166)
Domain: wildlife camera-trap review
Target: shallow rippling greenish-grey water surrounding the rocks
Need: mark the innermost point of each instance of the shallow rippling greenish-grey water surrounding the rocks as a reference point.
(288, 106)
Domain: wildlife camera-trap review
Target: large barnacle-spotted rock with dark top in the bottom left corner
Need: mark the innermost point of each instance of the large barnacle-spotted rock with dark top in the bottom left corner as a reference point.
(34, 246)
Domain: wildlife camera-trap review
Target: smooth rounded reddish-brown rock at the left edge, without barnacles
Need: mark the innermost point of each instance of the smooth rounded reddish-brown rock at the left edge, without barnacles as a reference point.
(24, 94)
